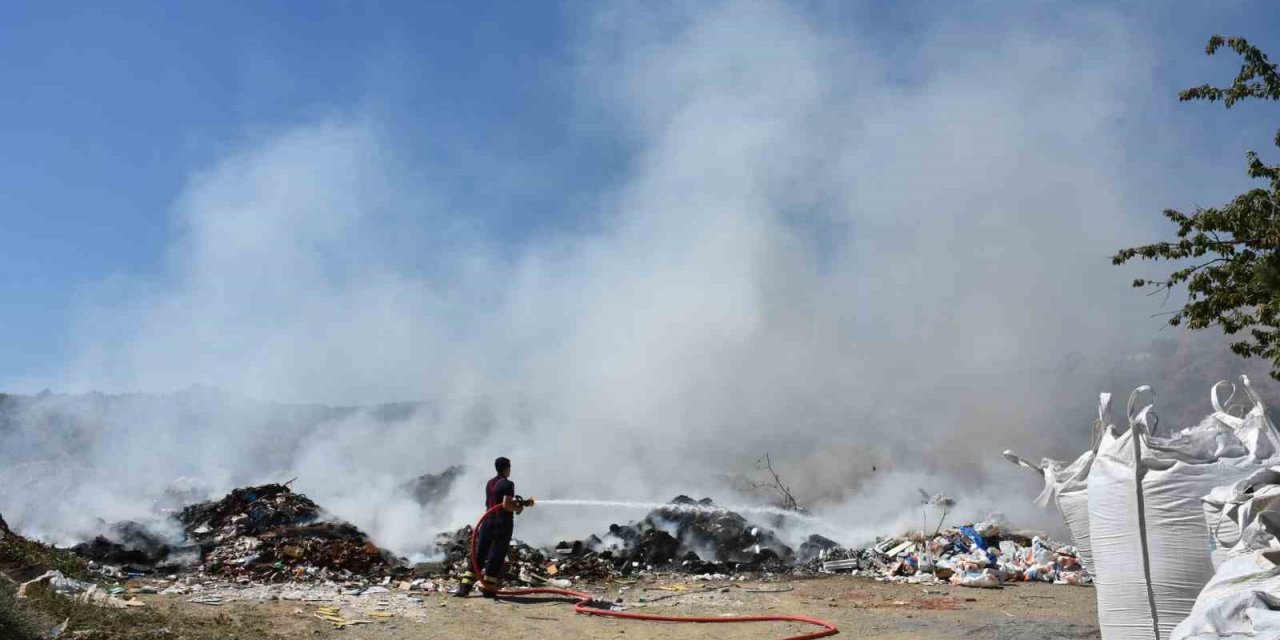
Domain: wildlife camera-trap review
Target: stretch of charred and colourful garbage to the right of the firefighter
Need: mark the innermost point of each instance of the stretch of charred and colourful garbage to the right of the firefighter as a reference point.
(697, 538)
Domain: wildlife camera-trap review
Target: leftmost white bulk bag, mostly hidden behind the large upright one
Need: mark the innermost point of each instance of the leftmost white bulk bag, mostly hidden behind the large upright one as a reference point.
(1067, 484)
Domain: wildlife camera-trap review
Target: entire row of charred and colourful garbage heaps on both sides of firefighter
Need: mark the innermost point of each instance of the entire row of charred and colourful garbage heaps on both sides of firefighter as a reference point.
(272, 534)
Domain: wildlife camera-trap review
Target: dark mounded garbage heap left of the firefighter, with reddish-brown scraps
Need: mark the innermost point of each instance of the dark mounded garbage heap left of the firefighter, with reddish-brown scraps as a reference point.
(272, 534)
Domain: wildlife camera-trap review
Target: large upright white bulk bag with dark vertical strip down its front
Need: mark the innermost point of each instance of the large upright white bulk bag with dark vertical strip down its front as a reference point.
(1150, 542)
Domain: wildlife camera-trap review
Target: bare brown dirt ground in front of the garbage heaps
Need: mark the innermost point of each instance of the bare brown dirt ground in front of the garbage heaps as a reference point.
(861, 607)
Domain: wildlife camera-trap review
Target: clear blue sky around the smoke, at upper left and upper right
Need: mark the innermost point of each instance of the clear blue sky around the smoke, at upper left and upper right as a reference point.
(109, 112)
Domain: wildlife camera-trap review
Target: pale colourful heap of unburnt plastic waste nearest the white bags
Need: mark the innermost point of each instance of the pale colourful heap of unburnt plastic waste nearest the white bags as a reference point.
(981, 555)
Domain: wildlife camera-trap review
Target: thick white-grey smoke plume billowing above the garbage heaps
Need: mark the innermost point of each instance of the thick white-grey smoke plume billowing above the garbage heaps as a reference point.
(843, 257)
